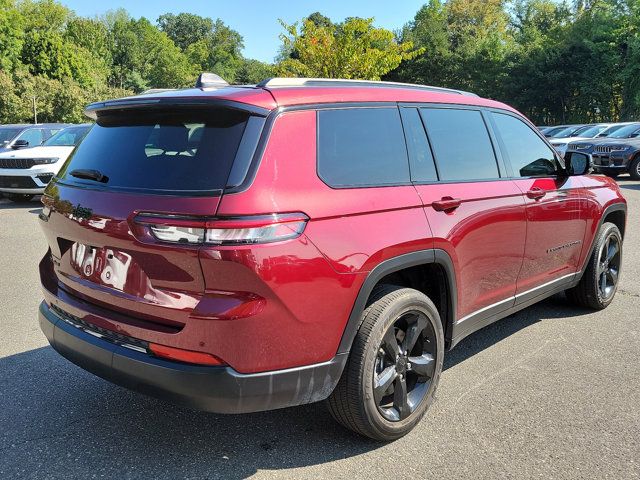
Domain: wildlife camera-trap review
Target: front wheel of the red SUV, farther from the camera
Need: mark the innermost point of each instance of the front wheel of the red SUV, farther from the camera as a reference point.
(599, 283)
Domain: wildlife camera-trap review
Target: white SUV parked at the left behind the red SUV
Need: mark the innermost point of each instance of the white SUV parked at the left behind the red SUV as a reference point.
(26, 172)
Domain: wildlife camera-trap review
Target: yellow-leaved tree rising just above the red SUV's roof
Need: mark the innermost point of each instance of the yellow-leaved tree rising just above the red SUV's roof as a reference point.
(352, 49)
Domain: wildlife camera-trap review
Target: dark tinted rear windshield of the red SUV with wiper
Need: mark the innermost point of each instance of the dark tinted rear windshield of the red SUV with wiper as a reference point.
(161, 151)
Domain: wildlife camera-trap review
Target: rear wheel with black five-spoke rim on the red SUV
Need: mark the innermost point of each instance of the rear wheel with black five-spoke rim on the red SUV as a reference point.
(371, 411)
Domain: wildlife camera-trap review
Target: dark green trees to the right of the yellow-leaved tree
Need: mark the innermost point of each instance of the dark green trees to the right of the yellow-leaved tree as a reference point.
(554, 62)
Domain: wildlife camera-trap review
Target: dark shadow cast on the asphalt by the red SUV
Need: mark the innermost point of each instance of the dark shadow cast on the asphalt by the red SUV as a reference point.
(59, 421)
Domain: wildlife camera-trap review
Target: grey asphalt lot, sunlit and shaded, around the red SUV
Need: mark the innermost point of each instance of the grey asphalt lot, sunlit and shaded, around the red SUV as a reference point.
(553, 392)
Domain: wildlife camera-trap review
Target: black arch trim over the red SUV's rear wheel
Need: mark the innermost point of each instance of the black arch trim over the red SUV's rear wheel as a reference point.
(395, 264)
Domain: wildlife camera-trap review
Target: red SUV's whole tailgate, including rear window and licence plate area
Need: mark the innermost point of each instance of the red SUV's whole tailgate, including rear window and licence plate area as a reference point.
(162, 161)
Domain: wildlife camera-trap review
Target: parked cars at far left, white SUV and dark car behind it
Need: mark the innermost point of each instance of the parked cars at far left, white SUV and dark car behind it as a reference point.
(30, 155)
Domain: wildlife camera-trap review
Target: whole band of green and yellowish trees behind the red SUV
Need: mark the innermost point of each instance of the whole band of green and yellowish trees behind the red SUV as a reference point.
(571, 61)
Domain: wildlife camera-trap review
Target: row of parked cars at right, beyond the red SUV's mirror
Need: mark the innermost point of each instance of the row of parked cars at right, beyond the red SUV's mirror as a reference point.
(613, 148)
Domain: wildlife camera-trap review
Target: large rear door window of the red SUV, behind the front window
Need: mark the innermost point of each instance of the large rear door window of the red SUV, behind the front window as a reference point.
(461, 144)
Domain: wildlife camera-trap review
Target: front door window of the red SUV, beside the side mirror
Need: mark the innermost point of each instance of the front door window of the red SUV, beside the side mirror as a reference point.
(528, 154)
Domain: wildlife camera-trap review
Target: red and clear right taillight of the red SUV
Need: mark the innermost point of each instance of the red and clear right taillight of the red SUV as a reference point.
(223, 231)
